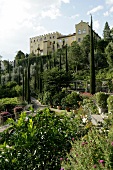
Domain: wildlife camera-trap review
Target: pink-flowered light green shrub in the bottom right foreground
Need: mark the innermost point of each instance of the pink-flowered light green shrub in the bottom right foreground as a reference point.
(93, 151)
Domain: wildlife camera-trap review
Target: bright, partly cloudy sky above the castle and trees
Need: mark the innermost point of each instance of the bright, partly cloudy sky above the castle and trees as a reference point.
(21, 20)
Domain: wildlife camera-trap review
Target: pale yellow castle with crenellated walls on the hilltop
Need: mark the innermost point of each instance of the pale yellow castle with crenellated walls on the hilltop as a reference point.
(47, 43)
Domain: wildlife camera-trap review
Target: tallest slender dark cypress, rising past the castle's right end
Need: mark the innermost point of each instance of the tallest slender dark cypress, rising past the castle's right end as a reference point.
(92, 62)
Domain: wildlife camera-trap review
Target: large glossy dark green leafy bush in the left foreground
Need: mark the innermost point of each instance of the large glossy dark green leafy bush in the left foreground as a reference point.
(38, 142)
